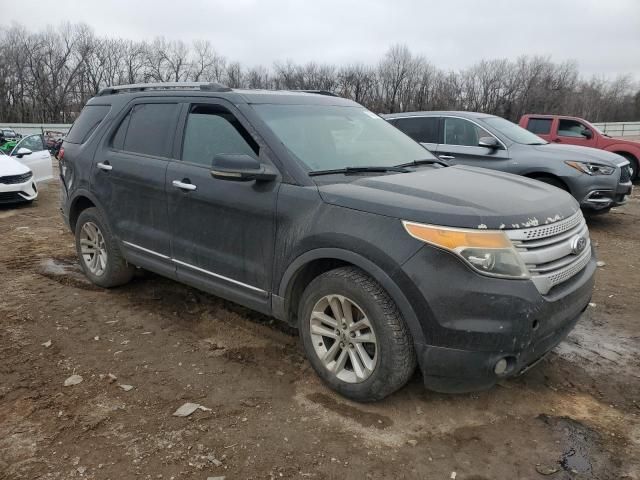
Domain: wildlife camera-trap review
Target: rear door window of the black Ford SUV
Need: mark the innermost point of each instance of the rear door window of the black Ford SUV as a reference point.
(148, 129)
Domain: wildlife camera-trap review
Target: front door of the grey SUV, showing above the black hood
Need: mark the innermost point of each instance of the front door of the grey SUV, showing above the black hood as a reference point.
(459, 145)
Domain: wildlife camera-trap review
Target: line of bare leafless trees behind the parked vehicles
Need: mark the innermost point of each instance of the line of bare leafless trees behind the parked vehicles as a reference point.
(47, 76)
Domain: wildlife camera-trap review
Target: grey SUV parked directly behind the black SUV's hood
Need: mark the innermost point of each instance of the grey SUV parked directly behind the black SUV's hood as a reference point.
(598, 180)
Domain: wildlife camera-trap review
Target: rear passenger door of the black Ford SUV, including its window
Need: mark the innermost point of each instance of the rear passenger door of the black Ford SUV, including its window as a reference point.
(128, 177)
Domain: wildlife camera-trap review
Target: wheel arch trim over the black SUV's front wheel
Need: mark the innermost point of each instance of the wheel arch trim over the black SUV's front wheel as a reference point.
(310, 264)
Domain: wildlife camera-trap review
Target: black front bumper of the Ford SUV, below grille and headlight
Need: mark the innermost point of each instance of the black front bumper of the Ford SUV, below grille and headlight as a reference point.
(471, 321)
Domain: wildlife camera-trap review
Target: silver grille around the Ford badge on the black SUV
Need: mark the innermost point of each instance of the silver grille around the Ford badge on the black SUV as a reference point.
(549, 250)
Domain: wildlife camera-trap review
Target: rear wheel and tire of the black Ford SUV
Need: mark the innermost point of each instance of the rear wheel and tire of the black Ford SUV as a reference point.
(98, 252)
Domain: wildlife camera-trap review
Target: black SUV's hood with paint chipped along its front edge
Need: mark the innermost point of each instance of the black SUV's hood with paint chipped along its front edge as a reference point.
(459, 196)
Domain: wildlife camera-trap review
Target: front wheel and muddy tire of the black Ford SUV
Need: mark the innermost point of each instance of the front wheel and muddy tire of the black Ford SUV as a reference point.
(354, 336)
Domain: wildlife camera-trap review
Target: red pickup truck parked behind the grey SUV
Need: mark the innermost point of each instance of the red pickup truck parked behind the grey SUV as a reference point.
(576, 131)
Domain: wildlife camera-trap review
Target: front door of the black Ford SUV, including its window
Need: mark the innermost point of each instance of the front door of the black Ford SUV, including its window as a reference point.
(223, 230)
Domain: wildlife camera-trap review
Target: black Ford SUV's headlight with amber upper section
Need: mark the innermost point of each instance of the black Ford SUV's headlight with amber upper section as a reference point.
(487, 251)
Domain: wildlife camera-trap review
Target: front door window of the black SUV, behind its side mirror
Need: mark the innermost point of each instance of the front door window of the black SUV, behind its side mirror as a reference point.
(211, 130)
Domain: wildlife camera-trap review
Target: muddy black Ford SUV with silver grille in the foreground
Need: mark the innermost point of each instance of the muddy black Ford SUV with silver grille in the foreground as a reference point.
(312, 209)
